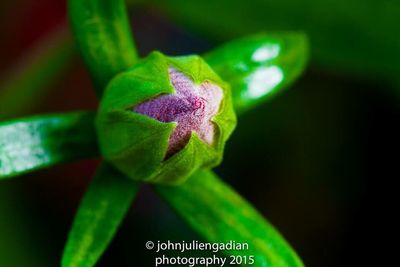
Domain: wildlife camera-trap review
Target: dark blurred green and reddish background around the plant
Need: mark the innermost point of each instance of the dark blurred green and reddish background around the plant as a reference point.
(320, 160)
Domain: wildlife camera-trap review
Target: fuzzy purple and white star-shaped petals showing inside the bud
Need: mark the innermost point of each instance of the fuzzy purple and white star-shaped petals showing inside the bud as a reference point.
(192, 107)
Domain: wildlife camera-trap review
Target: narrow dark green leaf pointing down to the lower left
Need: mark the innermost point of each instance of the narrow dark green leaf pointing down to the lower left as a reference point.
(101, 212)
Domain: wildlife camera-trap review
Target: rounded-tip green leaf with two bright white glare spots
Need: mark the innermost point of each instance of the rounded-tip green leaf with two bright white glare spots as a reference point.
(257, 67)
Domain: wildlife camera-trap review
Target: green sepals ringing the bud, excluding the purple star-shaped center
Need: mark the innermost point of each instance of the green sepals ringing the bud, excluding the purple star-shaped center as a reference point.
(137, 144)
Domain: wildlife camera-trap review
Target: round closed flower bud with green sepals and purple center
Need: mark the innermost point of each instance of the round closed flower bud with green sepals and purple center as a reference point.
(164, 118)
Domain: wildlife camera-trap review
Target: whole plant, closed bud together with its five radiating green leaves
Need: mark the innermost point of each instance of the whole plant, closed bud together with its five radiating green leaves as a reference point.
(162, 120)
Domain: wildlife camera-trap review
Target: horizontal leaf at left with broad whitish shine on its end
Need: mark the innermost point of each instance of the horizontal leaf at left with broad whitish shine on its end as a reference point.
(41, 141)
